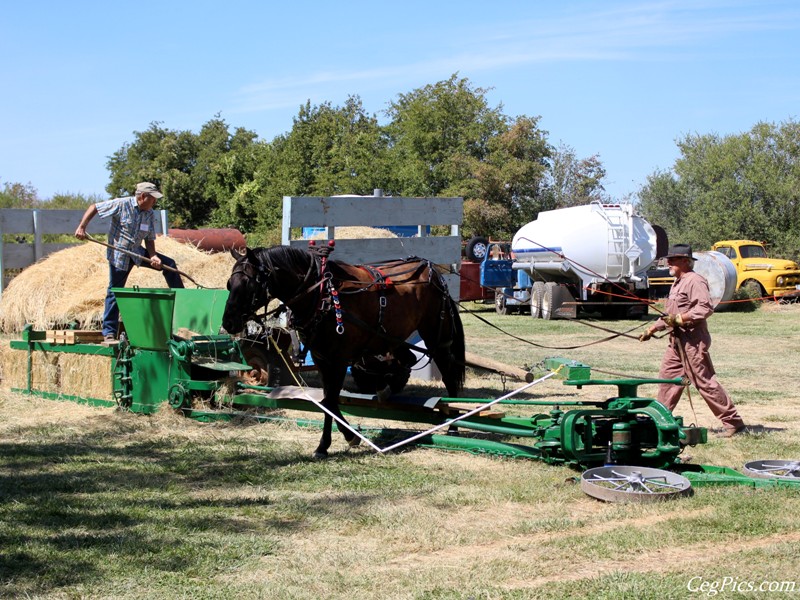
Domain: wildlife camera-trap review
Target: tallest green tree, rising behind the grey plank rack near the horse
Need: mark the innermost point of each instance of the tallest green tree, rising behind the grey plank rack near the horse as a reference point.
(446, 140)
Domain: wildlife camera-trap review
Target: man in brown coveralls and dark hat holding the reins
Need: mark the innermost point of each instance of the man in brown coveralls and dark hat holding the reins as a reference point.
(688, 307)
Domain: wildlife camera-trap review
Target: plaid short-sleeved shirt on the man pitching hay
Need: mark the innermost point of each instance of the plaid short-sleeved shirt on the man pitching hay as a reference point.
(129, 227)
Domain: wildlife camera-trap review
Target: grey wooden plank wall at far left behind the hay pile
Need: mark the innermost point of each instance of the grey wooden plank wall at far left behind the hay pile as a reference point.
(21, 221)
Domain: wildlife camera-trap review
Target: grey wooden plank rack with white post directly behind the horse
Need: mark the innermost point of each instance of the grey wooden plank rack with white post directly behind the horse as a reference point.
(372, 211)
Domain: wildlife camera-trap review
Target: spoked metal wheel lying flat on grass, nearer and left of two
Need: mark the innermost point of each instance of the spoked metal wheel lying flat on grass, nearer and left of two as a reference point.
(633, 484)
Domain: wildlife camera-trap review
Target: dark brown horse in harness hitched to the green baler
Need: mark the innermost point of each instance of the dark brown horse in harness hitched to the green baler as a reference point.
(344, 313)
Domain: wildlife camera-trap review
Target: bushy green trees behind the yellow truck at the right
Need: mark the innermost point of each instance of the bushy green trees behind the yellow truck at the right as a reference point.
(737, 186)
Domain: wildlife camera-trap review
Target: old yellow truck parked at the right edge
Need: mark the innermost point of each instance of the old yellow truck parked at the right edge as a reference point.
(756, 271)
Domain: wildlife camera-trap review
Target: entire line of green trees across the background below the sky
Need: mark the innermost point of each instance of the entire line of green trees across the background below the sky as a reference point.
(445, 139)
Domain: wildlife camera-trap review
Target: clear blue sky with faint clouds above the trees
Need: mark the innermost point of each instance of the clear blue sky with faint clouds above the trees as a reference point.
(620, 79)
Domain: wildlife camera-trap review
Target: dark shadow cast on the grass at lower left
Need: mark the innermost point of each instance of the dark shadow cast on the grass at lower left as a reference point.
(100, 506)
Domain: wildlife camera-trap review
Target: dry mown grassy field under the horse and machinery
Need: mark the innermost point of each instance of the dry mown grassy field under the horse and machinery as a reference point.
(100, 504)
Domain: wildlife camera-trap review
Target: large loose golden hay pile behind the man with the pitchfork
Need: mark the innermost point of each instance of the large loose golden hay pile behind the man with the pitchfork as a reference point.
(70, 286)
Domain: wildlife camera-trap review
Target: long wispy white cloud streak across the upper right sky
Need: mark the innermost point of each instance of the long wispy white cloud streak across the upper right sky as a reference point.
(655, 31)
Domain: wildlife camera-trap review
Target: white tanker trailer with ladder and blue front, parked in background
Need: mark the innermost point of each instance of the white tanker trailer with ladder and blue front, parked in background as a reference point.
(592, 257)
